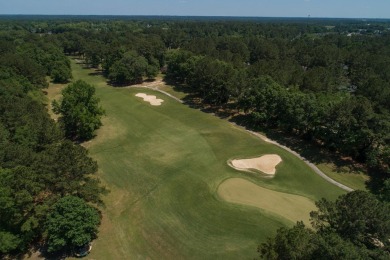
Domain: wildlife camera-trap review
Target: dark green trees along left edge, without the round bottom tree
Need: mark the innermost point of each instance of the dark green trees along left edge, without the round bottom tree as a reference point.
(37, 165)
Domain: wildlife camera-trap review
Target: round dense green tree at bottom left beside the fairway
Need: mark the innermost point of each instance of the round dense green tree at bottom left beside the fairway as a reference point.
(72, 223)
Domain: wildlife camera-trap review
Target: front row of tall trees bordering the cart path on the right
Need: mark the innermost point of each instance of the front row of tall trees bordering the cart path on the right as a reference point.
(339, 120)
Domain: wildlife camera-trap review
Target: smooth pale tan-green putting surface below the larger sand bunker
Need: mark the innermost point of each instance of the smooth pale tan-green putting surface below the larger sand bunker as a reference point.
(289, 206)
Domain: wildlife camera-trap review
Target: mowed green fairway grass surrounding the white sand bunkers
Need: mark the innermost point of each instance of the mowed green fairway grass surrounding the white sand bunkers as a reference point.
(163, 166)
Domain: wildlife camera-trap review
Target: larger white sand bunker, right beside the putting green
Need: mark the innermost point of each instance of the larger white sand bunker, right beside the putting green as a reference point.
(266, 164)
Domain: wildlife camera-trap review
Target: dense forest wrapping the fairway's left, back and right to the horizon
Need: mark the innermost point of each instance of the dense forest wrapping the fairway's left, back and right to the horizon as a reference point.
(324, 81)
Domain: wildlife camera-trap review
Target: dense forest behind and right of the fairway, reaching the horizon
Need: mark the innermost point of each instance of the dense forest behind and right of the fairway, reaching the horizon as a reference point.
(310, 79)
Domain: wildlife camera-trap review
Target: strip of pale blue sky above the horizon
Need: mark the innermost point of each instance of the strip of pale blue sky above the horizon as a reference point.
(262, 8)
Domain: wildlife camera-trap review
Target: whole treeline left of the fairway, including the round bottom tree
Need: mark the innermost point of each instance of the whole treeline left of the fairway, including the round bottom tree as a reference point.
(41, 172)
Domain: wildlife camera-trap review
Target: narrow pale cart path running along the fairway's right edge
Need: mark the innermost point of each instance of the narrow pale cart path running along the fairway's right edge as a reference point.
(154, 86)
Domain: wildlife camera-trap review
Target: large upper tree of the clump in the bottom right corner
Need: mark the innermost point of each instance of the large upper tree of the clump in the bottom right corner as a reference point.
(357, 216)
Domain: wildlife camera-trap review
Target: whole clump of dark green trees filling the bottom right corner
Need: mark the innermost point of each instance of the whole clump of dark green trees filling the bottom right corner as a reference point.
(356, 226)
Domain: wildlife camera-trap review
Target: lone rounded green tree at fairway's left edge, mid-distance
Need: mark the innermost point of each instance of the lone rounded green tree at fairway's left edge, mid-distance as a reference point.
(80, 110)
